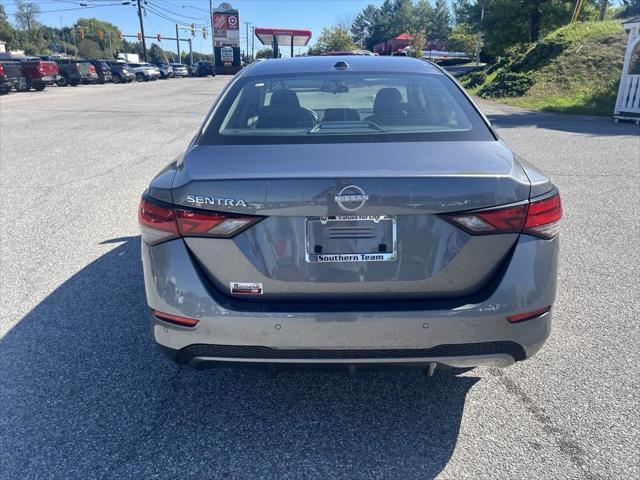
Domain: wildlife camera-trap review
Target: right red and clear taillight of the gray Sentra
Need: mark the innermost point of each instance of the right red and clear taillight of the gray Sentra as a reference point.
(539, 217)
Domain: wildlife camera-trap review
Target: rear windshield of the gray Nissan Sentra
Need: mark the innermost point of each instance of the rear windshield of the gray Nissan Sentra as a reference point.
(344, 107)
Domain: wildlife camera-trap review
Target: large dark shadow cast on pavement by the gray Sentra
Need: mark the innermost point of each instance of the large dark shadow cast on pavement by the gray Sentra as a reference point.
(86, 394)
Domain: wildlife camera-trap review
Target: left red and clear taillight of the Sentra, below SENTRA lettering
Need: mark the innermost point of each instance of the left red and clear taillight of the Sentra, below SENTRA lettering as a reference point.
(160, 222)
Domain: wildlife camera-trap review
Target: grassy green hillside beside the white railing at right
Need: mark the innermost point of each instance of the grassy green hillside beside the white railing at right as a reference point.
(575, 69)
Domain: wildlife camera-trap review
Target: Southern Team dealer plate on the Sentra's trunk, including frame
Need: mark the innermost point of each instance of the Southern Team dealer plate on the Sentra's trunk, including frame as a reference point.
(346, 239)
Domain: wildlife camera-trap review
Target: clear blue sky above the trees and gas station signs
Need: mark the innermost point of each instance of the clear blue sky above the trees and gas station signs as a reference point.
(305, 14)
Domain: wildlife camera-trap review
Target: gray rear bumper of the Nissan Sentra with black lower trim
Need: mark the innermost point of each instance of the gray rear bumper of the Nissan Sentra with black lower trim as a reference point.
(467, 335)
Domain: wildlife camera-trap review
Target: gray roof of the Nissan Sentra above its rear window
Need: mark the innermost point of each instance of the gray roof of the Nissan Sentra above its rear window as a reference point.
(326, 64)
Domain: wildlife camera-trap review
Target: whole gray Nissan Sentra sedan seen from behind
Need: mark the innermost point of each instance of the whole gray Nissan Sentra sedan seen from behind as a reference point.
(352, 211)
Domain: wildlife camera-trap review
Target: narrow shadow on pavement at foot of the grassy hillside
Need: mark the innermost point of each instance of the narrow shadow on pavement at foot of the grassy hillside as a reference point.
(589, 125)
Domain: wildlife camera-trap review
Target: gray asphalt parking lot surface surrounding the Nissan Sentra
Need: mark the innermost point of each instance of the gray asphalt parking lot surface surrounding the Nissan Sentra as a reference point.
(84, 393)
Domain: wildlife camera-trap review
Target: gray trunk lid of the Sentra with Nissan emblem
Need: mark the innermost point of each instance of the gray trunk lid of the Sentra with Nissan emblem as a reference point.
(302, 249)
